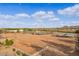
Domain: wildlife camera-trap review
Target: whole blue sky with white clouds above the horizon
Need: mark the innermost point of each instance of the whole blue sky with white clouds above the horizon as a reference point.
(38, 15)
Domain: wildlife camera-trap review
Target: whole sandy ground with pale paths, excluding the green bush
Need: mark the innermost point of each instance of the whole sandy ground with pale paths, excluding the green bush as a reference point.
(30, 44)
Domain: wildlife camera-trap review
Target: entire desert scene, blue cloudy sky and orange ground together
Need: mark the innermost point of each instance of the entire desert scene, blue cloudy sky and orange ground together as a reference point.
(39, 29)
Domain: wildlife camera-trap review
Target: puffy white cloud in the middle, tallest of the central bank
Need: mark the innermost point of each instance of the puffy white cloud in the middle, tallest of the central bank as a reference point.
(42, 15)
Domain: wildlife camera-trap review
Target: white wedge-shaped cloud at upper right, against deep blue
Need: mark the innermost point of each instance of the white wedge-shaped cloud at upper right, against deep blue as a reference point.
(72, 11)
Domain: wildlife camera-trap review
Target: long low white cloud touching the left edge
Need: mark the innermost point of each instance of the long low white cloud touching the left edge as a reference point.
(9, 17)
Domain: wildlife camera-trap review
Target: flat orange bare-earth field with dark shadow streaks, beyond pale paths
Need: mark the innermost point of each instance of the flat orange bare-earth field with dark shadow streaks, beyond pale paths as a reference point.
(32, 43)
